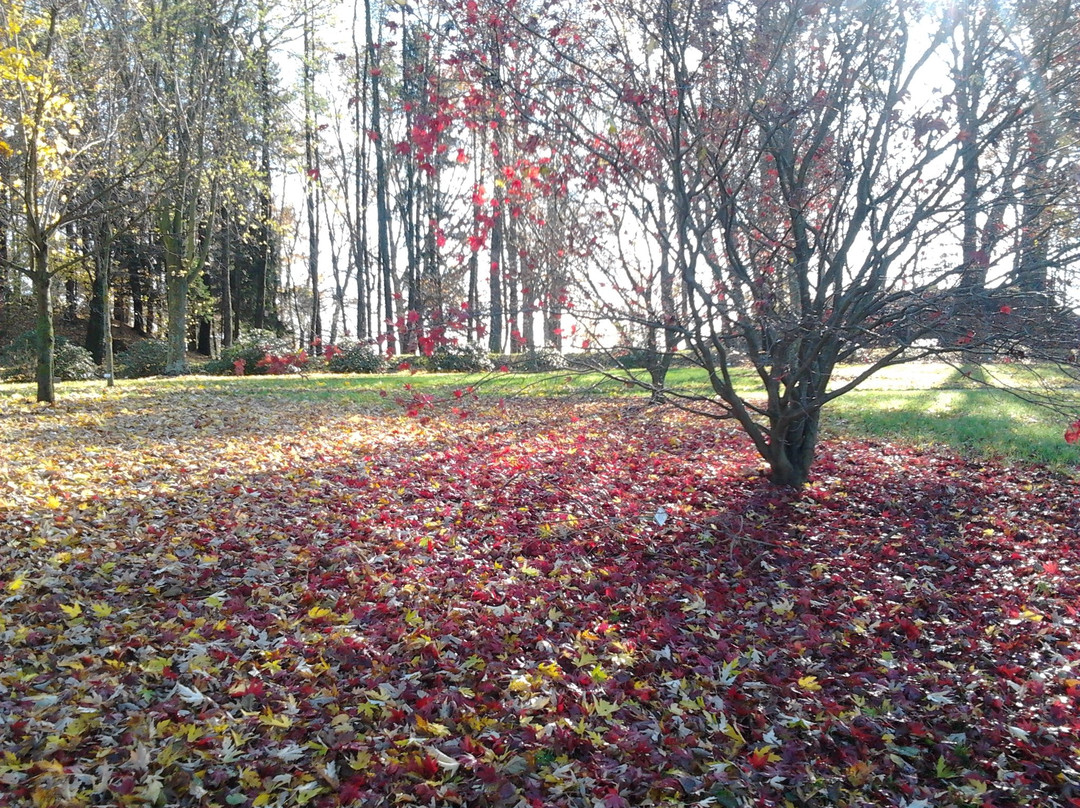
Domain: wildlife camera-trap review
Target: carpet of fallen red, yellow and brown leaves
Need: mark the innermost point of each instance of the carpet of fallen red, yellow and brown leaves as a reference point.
(218, 601)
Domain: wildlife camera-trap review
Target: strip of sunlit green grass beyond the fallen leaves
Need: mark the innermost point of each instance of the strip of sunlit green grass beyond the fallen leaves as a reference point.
(925, 403)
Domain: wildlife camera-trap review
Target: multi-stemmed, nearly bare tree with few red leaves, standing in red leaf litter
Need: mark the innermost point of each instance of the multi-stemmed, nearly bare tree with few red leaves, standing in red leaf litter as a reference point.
(806, 184)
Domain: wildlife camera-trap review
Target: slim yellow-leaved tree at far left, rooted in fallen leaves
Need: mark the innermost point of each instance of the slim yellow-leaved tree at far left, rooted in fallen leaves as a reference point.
(59, 167)
